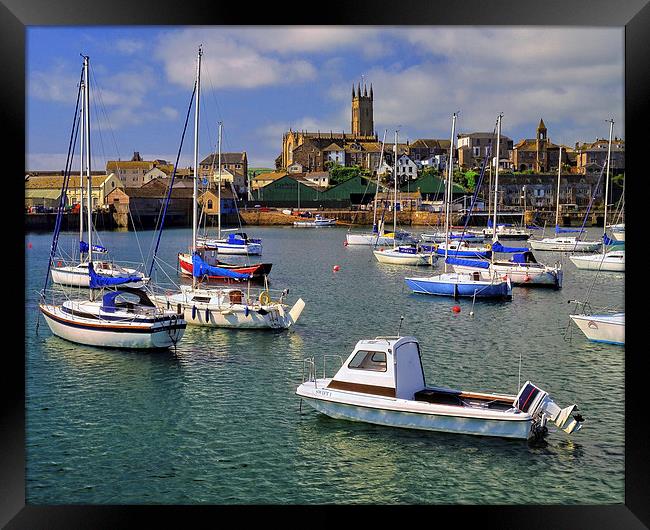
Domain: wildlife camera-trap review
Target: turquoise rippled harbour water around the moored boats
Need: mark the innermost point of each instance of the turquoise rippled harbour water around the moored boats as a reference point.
(218, 422)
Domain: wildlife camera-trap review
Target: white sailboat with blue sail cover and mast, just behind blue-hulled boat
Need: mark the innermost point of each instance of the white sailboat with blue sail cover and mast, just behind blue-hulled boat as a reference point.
(523, 268)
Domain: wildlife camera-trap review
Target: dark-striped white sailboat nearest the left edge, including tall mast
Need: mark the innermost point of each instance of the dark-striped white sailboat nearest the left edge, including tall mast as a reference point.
(122, 318)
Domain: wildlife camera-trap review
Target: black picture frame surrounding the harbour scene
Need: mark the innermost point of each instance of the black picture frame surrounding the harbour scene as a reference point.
(16, 15)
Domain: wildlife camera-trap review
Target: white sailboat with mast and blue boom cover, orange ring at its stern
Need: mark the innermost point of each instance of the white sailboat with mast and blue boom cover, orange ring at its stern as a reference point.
(224, 307)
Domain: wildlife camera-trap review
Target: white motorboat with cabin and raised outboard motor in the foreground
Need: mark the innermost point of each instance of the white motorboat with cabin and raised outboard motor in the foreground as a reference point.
(382, 382)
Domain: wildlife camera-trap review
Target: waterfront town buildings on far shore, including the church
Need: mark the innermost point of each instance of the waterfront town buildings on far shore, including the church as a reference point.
(339, 170)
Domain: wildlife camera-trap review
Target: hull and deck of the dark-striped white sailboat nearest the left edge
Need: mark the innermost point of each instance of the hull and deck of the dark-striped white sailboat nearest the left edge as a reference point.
(115, 321)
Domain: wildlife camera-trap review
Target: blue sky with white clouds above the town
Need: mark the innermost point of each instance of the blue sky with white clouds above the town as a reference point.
(259, 81)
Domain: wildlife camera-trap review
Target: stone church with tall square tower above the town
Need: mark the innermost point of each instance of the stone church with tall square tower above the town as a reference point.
(318, 151)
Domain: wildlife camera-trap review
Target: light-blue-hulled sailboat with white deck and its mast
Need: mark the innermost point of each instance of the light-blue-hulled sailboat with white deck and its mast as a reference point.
(478, 284)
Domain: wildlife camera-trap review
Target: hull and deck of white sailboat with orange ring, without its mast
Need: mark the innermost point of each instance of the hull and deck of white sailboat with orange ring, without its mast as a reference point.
(231, 308)
